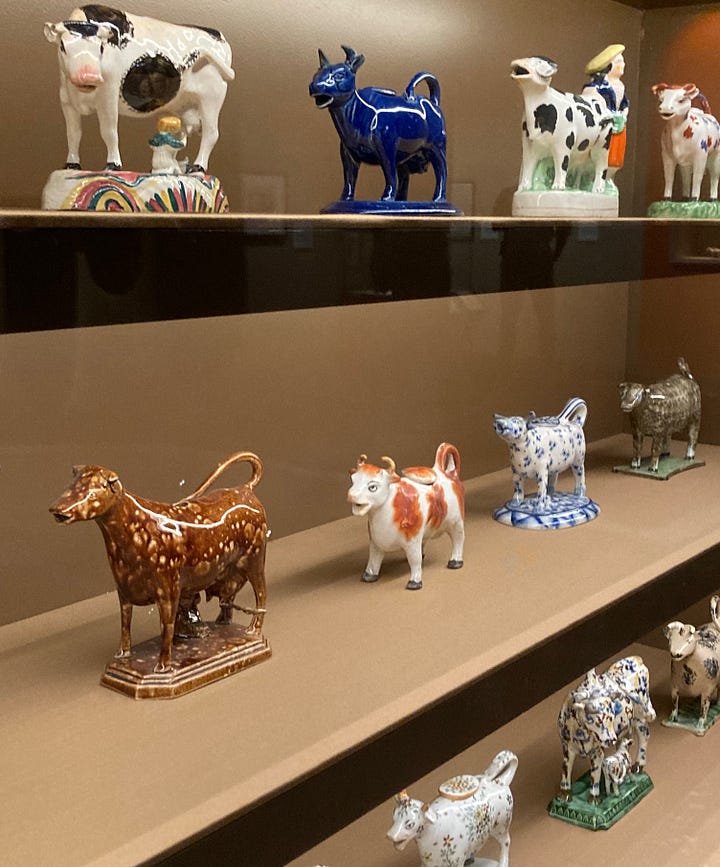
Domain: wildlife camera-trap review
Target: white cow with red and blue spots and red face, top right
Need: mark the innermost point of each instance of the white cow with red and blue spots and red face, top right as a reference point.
(690, 140)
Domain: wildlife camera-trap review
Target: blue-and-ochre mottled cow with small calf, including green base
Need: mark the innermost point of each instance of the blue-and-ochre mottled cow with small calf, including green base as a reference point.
(605, 711)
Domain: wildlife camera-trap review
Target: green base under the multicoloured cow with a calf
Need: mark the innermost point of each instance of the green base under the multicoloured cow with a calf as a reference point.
(600, 817)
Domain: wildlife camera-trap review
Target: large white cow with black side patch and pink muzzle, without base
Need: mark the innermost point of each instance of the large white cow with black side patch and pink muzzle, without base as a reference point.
(114, 63)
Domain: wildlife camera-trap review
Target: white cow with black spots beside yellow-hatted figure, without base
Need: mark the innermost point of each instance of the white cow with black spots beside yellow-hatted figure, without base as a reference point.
(574, 130)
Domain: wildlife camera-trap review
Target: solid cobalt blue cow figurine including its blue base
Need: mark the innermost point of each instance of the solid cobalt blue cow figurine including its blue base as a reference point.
(400, 133)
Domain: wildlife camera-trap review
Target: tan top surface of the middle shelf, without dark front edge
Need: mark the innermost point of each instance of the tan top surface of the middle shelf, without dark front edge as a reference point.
(91, 777)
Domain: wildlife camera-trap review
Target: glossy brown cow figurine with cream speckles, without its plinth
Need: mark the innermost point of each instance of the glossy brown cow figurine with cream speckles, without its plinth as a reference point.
(165, 554)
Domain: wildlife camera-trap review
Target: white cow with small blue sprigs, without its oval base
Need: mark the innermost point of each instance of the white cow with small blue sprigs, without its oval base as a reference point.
(540, 448)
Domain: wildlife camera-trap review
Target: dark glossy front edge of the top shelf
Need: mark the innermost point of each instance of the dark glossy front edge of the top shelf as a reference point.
(117, 268)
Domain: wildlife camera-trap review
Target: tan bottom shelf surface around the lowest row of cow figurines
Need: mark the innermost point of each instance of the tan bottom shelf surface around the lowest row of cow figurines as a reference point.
(678, 819)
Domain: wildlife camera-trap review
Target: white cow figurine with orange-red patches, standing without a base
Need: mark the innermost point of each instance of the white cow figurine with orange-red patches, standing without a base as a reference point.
(404, 510)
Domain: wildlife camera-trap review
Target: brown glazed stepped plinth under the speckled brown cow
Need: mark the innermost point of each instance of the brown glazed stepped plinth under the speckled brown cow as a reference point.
(224, 650)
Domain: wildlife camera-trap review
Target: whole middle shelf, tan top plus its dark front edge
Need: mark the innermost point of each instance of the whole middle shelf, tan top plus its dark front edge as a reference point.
(369, 686)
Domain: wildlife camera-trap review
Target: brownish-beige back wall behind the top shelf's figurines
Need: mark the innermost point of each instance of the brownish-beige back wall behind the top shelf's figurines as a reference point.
(277, 151)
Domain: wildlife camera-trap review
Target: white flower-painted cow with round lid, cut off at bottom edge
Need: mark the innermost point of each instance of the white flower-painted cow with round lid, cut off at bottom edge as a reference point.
(469, 810)
